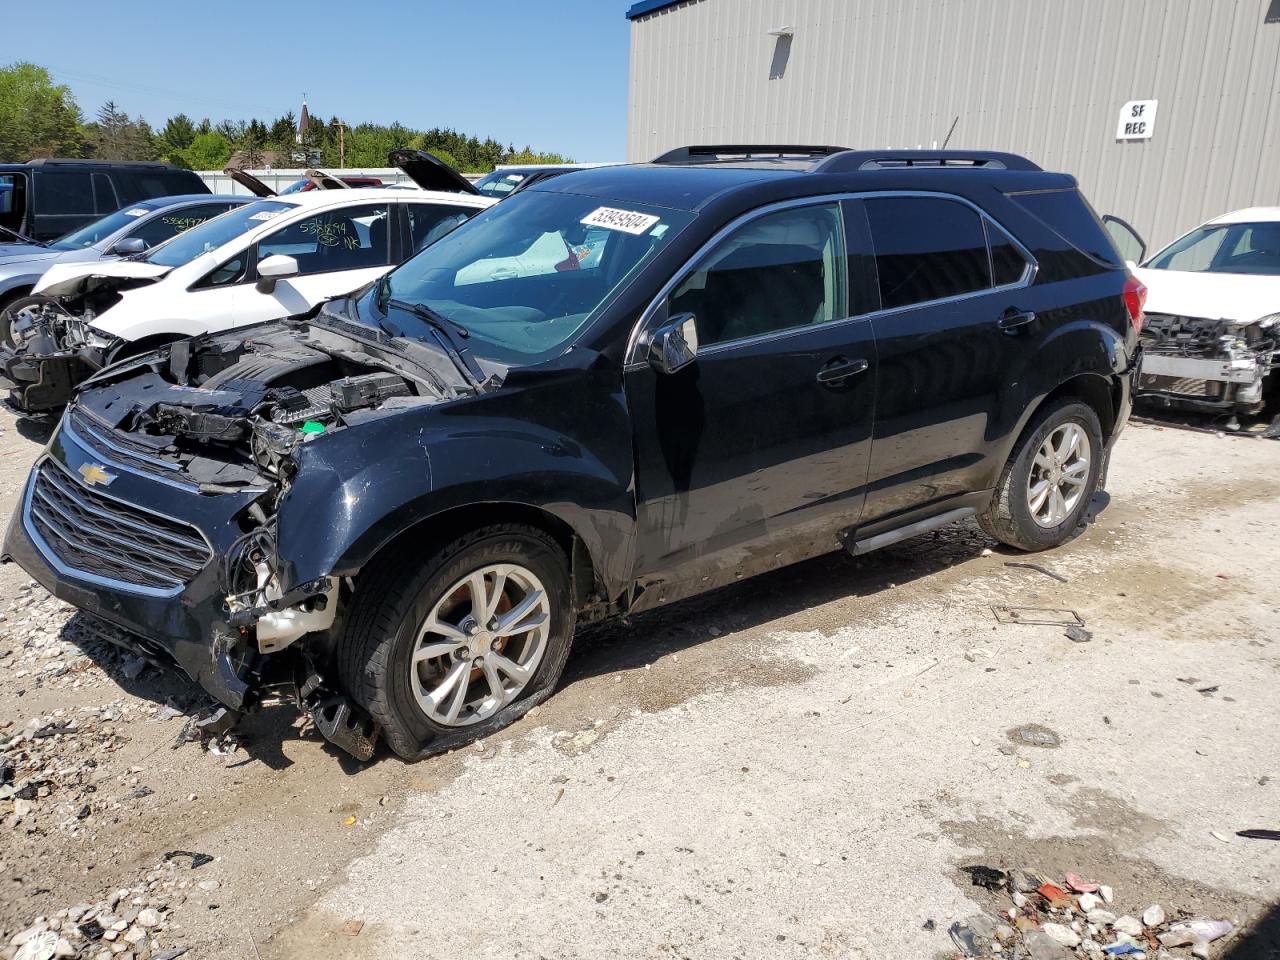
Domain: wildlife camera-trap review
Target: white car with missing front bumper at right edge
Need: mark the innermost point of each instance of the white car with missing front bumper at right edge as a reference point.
(1213, 316)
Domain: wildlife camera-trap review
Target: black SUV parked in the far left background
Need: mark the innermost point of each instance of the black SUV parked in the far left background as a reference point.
(48, 199)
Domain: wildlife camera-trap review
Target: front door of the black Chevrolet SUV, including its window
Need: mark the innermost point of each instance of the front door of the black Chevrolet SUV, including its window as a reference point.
(756, 455)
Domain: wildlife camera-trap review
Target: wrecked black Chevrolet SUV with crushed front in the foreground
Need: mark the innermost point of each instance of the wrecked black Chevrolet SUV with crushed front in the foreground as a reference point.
(618, 388)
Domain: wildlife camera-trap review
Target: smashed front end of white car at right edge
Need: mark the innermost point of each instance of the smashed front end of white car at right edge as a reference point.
(1209, 365)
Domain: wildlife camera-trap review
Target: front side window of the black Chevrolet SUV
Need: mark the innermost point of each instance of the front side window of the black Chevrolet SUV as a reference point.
(779, 272)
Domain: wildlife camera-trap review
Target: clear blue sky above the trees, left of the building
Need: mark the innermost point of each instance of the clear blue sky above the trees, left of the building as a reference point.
(550, 74)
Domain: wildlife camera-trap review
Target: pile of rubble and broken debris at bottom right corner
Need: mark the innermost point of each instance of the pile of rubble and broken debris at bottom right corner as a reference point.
(1041, 918)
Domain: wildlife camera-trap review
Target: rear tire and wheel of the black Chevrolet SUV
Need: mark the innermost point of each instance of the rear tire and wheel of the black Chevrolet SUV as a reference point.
(1046, 487)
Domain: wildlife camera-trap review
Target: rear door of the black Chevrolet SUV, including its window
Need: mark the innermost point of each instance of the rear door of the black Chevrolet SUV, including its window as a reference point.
(954, 333)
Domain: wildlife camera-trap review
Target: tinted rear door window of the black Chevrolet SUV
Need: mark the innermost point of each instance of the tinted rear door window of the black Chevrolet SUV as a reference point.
(927, 249)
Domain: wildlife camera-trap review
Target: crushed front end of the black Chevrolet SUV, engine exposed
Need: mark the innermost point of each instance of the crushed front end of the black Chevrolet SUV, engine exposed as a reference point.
(156, 506)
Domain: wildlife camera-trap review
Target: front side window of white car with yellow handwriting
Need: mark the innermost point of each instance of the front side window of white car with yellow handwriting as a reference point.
(344, 239)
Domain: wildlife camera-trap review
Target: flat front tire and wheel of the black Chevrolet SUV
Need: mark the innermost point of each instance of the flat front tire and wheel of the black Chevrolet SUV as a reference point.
(458, 648)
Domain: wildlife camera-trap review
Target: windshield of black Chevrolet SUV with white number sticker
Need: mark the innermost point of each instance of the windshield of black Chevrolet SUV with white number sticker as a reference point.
(528, 275)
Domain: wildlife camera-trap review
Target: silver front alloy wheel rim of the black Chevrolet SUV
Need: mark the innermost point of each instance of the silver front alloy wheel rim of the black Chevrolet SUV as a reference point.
(481, 644)
